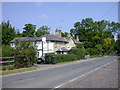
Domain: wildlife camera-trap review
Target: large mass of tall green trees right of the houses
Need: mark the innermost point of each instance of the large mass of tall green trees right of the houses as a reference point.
(93, 33)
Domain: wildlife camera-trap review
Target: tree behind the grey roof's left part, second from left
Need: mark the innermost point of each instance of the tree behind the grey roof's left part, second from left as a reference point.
(29, 30)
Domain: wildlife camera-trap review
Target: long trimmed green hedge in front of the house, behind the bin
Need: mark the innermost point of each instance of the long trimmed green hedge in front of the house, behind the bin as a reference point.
(60, 58)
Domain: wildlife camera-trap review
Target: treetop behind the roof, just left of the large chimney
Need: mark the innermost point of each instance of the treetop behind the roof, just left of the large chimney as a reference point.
(42, 31)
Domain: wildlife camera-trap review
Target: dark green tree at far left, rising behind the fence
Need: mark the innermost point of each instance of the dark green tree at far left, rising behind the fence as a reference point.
(8, 32)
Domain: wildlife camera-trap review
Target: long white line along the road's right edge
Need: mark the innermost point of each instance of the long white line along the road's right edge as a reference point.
(83, 75)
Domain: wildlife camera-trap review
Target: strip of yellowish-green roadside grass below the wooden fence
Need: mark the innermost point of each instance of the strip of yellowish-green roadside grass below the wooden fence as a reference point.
(18, 70)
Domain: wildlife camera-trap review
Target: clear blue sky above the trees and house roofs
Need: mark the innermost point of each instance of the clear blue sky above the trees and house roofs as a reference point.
(61, 15)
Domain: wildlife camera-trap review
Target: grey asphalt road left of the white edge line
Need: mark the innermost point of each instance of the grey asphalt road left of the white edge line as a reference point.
(53, 77)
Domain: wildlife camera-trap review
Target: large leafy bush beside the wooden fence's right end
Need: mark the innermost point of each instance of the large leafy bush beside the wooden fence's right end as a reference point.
(26, 53)
